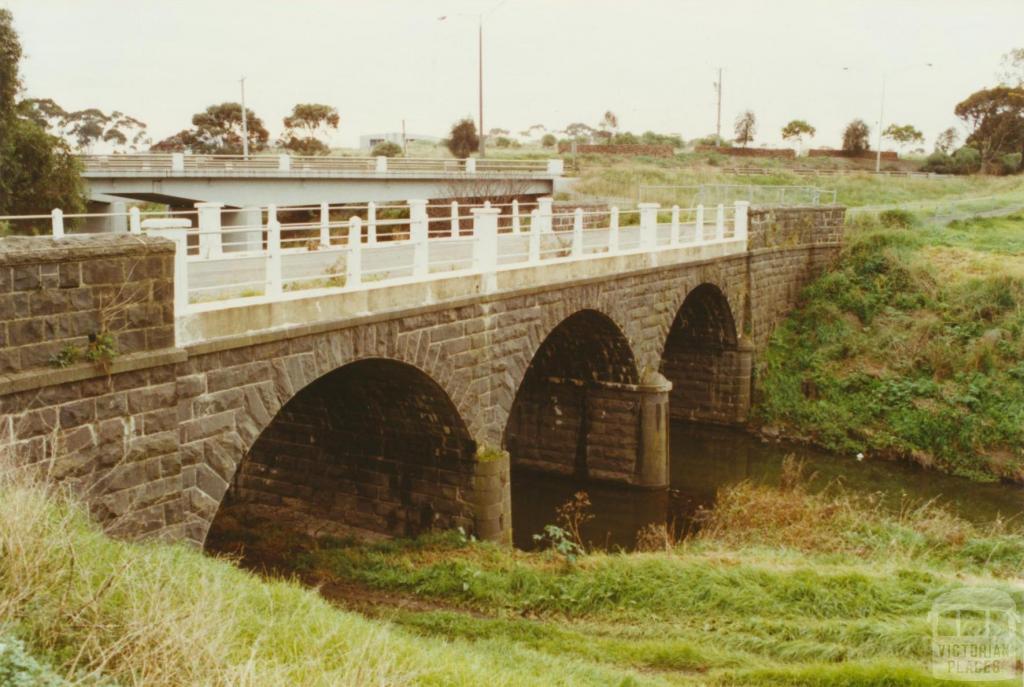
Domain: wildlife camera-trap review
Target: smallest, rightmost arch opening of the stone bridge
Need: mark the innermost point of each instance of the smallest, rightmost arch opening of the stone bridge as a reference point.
(706, 361)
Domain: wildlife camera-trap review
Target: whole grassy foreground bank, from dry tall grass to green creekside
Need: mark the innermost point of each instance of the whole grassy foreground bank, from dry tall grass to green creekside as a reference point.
(752, 600)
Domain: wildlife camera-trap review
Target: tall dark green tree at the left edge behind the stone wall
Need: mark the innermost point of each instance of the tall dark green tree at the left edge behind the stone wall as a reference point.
(37, 170)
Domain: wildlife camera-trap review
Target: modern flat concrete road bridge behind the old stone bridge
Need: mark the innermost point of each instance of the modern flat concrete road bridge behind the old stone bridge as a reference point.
(182, 182)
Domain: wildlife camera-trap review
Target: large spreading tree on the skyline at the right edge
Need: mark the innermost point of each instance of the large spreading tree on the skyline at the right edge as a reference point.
(996, 117)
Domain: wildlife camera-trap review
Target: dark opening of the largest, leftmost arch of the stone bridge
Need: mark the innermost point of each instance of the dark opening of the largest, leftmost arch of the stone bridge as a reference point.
(375, 446)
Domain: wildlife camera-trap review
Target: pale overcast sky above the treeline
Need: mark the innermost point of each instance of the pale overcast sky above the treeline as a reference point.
(546, 62)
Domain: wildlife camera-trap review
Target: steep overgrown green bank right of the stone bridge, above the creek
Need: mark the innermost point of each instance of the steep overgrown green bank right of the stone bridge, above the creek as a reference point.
(913, 347)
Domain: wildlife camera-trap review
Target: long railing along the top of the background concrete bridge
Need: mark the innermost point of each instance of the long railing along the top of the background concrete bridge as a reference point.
(143, 164)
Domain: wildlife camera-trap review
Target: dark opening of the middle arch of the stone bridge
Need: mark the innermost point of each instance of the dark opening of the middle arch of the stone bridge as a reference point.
(570, 398)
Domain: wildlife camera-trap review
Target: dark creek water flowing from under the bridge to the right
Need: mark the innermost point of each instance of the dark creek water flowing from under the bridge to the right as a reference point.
(705, 459)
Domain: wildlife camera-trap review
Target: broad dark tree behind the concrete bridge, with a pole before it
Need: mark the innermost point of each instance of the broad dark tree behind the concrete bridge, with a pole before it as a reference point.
(218, 131)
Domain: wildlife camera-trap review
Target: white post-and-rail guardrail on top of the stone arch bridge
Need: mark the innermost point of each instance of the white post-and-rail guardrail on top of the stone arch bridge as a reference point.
(236, 256)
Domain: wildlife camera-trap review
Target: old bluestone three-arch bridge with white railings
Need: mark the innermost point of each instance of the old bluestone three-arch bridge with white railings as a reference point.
(385, 379)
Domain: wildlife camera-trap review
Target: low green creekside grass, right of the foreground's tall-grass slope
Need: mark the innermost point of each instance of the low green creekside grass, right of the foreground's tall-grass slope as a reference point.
(751, 600)
